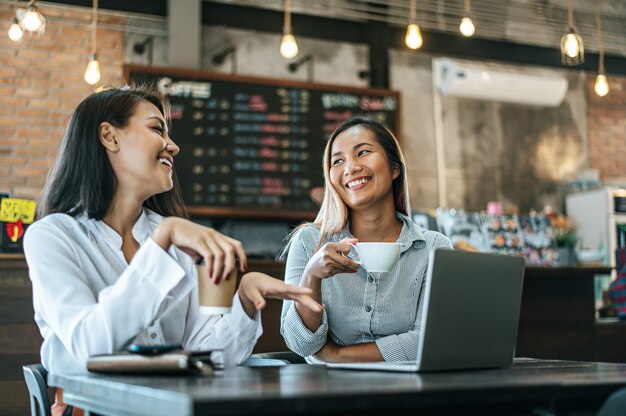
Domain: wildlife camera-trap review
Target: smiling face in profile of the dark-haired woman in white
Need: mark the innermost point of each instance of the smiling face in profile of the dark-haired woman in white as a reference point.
(143, 159)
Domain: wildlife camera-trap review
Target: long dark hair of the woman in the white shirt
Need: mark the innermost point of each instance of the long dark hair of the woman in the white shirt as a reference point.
(82, 179)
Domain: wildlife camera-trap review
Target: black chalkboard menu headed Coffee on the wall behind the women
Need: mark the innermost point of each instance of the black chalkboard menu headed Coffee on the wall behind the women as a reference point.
(253, 147)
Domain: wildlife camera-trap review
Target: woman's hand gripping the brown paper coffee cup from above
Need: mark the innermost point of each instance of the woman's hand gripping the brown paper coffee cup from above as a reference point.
(218, 251)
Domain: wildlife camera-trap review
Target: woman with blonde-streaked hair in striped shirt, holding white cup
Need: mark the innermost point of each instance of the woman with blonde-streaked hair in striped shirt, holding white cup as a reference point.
(368, 316)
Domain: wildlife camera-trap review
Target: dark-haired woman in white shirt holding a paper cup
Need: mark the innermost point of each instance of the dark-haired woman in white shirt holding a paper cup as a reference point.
(112, 257)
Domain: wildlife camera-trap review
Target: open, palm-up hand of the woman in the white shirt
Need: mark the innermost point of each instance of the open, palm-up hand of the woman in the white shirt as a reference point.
(256, 287)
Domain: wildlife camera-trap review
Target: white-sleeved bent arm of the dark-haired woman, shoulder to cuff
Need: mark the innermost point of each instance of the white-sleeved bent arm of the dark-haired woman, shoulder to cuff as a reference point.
(66, 284)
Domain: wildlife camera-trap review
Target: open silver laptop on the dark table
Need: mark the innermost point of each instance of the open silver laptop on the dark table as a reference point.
(470, 314)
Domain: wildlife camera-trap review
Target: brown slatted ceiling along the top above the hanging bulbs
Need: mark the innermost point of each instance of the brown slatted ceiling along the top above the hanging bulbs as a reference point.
(525, 22)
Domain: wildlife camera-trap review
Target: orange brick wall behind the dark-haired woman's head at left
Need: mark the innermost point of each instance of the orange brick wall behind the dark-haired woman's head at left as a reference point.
(41, 82)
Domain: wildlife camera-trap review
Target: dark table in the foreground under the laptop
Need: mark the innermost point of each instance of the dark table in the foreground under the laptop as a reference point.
(529, 386)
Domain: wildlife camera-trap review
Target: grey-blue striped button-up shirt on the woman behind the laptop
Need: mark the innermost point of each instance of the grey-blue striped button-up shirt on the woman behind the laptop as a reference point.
(364, 307)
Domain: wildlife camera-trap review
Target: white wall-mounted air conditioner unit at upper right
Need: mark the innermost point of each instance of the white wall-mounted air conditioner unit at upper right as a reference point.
(459, 79)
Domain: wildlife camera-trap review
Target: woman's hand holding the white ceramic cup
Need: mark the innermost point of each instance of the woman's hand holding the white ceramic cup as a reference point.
(332, 259)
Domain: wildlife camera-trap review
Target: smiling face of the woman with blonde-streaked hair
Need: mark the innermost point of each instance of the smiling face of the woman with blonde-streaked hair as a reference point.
(359, 169)
